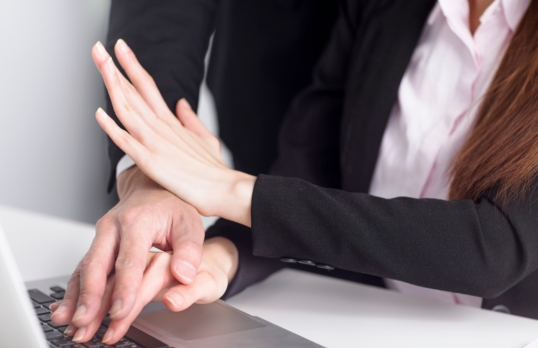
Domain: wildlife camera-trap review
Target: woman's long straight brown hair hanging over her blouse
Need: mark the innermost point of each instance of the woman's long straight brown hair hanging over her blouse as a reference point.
(502, 151)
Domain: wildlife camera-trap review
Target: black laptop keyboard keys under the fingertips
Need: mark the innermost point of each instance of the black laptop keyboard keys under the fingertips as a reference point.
(55, 333)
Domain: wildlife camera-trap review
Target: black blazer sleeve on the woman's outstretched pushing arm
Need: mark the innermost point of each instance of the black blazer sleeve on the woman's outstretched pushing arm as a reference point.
(480, 248)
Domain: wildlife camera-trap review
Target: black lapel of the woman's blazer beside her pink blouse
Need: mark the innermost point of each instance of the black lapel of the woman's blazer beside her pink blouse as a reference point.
(383, 49)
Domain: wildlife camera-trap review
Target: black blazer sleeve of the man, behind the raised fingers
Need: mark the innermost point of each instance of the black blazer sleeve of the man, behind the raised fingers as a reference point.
(170, 39)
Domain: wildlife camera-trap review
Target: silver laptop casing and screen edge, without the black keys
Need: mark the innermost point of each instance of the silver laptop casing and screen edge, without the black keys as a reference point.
(212, 325)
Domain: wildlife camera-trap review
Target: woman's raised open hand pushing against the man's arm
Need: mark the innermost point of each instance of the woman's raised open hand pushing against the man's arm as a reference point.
(182, 156)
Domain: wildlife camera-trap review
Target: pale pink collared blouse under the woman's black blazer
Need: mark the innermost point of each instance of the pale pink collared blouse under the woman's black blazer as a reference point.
(437, 104)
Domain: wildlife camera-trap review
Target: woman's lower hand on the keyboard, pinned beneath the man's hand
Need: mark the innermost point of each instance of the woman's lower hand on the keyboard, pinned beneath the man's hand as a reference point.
(218, 267)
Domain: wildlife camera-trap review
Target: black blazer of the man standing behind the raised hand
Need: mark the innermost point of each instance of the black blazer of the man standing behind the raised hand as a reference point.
(263, 54)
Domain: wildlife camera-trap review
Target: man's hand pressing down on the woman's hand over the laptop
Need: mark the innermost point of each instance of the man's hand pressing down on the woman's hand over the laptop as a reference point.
(147, 215)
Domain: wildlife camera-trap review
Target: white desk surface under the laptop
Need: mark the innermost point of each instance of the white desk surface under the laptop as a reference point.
(331, 312)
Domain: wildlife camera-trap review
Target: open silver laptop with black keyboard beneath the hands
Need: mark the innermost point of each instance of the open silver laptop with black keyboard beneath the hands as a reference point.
(25, 320)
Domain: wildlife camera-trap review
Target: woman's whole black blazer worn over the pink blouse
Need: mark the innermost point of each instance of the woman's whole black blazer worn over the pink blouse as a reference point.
(315, 206)
